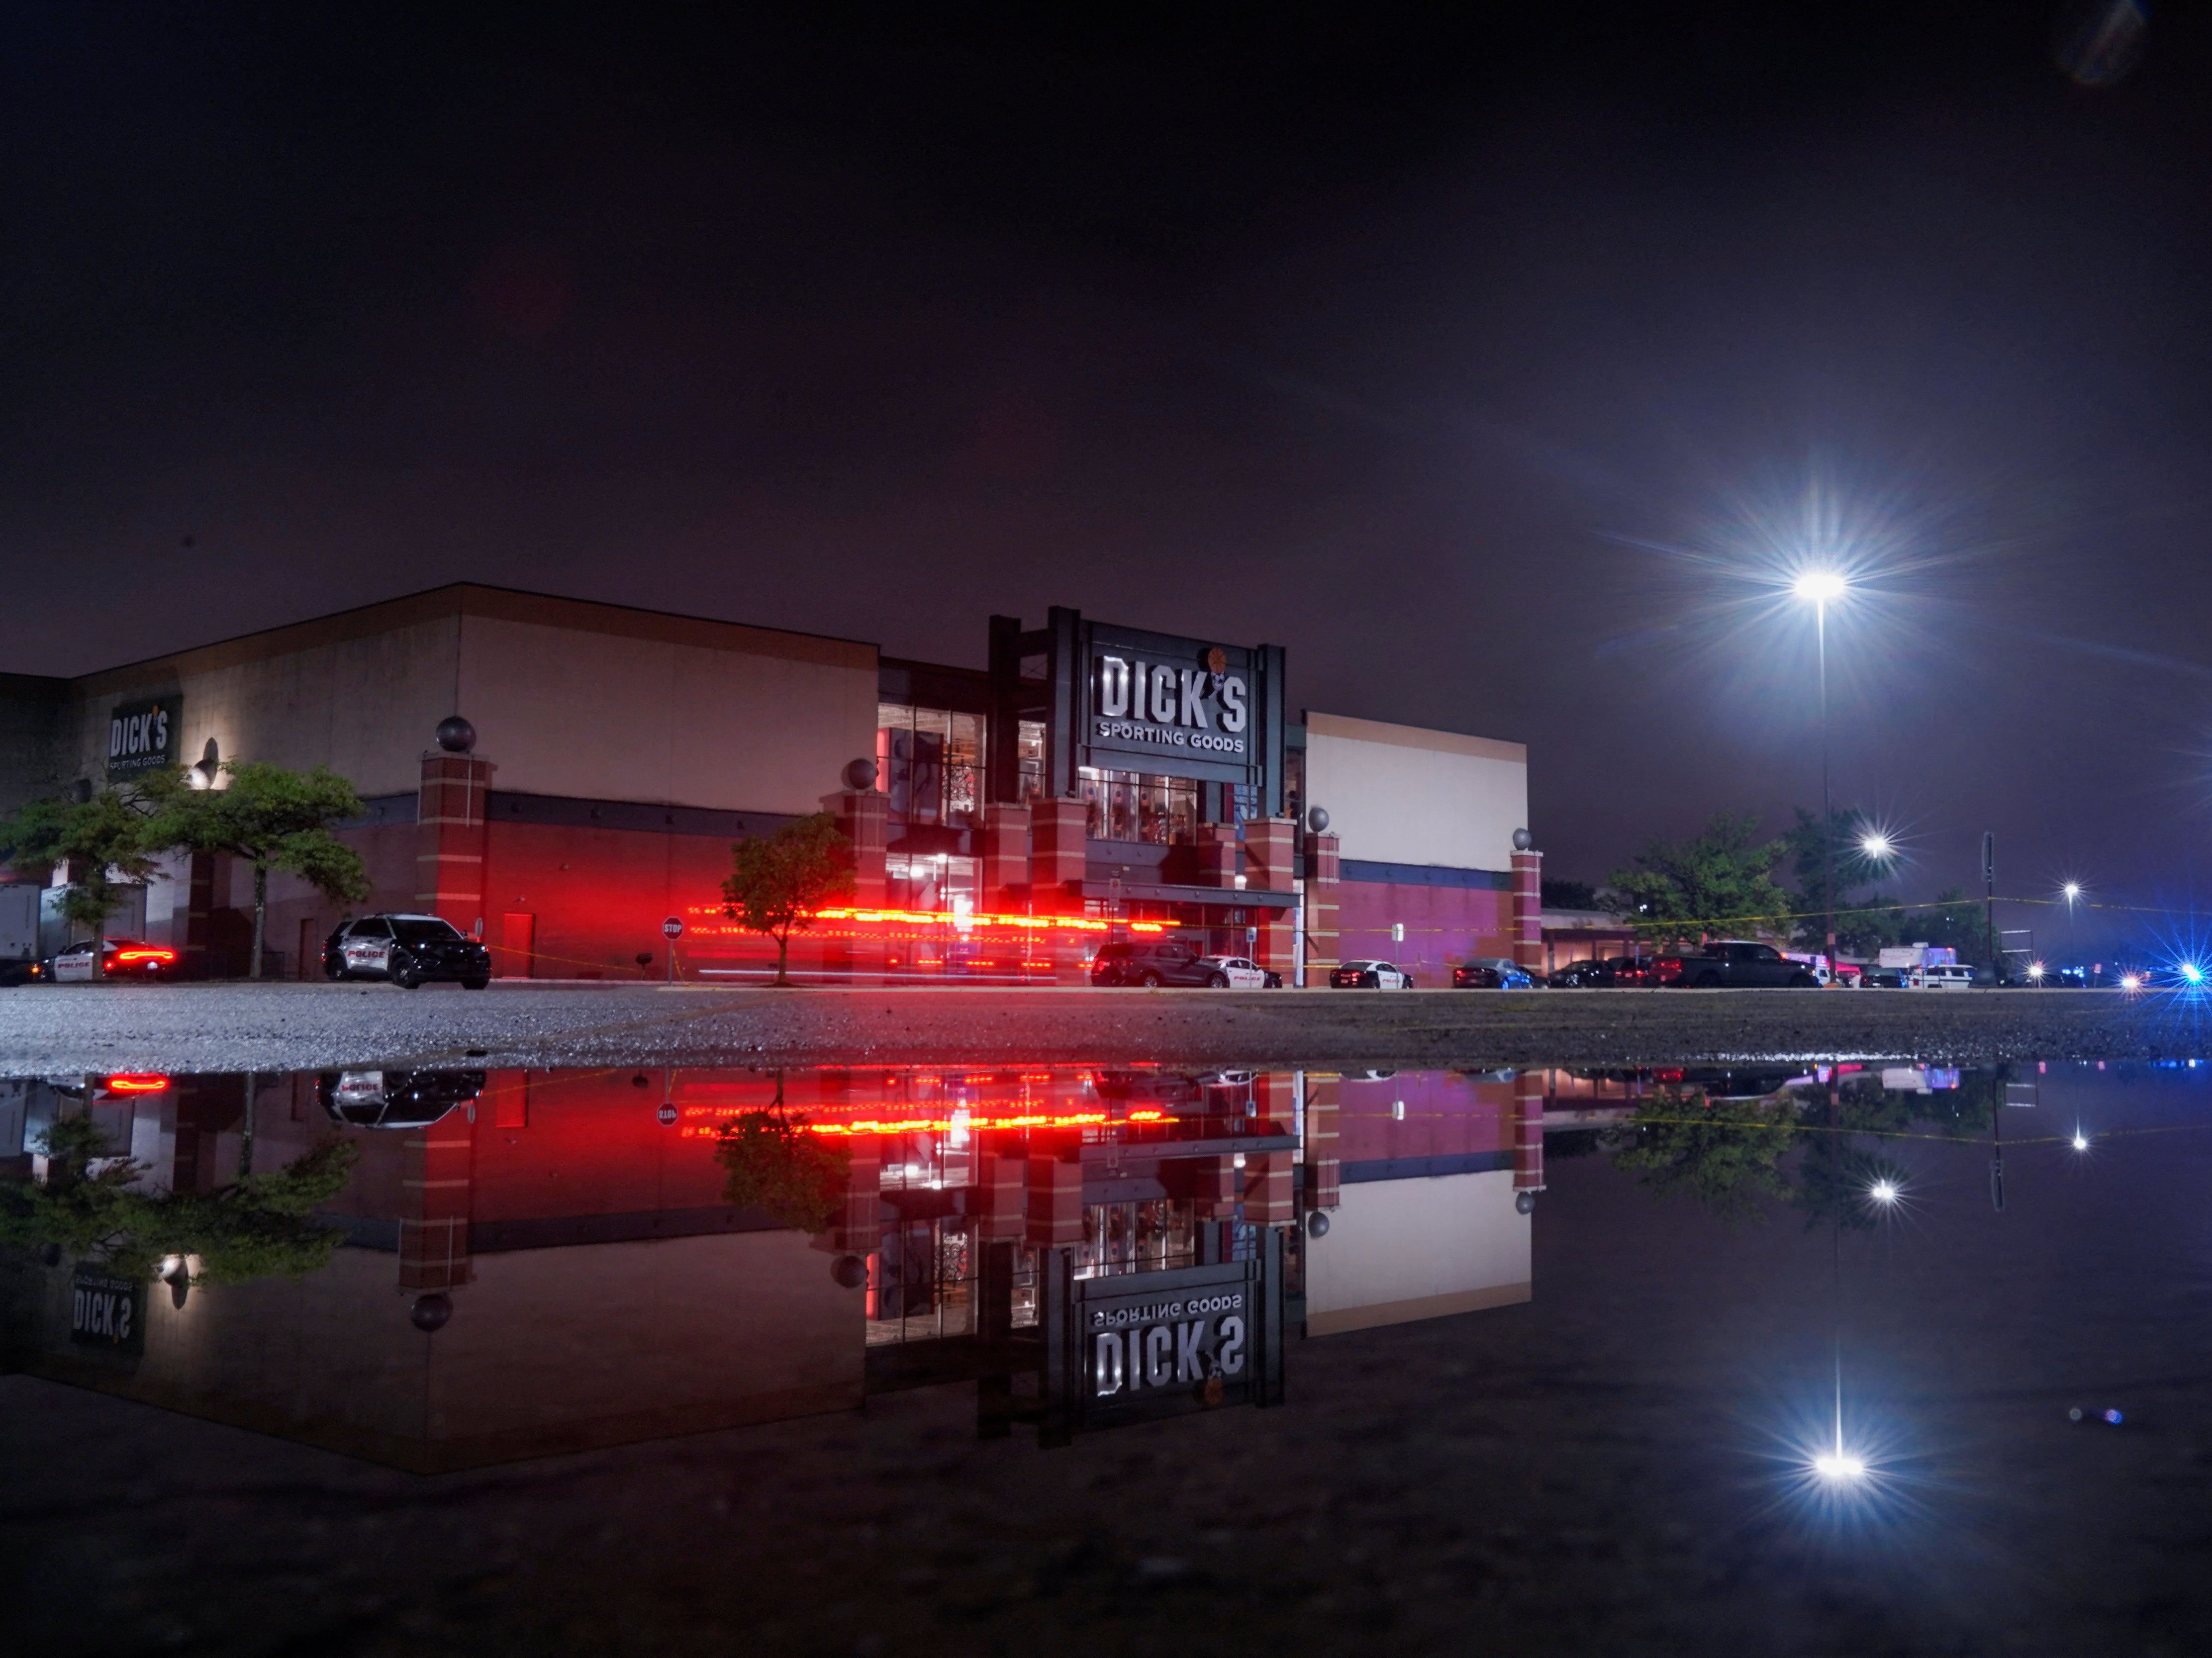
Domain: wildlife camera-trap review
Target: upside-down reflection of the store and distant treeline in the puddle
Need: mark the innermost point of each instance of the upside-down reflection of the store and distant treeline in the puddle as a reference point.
(448, 1268)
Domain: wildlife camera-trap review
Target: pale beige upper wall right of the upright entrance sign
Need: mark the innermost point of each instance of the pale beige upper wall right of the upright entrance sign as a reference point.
(1401, 795)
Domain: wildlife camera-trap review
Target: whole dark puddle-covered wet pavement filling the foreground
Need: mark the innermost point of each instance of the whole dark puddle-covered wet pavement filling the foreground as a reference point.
(1715, 1358)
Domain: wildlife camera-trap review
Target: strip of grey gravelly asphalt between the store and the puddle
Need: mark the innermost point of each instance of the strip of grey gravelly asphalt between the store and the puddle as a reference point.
(298, 1027)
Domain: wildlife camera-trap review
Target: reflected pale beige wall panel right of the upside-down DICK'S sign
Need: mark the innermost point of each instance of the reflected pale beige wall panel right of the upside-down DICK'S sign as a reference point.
(1426, 1248)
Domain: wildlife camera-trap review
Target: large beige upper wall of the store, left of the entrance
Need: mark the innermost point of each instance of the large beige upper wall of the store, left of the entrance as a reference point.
(567, 697)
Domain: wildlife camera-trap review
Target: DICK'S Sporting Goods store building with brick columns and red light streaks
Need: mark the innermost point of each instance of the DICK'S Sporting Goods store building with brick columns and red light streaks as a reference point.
(1005, 821)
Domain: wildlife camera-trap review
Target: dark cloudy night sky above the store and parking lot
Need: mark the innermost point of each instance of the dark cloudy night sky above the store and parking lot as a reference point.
(1488, 359)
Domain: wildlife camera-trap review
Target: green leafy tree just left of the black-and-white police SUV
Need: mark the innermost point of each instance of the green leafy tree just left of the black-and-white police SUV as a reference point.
(273, 819)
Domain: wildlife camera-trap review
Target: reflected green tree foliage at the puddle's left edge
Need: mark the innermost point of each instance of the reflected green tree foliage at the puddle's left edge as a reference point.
(255, 1228)
